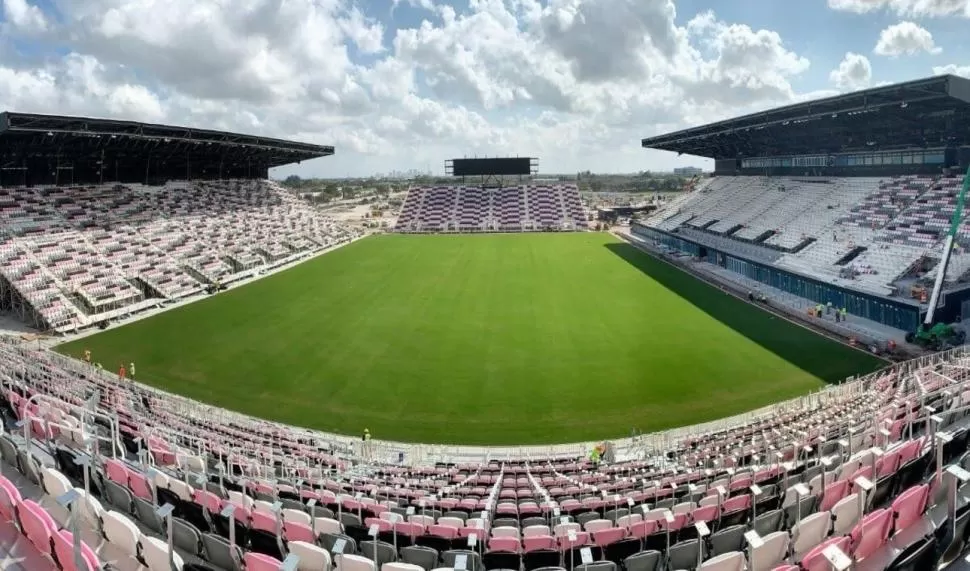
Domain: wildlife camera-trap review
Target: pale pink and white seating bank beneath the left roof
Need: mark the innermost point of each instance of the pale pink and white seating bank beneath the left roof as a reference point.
(78, 255)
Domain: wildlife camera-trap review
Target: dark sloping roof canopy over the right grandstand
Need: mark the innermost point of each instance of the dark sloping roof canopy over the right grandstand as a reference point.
(932, 112)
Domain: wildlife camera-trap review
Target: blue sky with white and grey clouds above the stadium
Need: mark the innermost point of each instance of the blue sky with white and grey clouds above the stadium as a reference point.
(400, 84)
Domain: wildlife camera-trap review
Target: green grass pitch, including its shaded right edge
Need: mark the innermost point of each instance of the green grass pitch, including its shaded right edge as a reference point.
(482, 339)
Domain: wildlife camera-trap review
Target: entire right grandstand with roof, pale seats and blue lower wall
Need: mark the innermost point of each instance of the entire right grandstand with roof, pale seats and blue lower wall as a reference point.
(913, 135)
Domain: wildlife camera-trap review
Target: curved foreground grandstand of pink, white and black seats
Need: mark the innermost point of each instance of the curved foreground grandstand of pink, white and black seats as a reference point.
(102, 471)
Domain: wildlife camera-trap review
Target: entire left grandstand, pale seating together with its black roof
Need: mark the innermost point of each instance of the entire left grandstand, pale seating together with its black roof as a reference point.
(75, 252)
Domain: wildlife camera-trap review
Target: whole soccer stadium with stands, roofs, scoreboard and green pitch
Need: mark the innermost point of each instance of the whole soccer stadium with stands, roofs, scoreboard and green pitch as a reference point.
(765, 373)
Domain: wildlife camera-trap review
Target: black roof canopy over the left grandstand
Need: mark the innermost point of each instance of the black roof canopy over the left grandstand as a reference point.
(42, 142)
